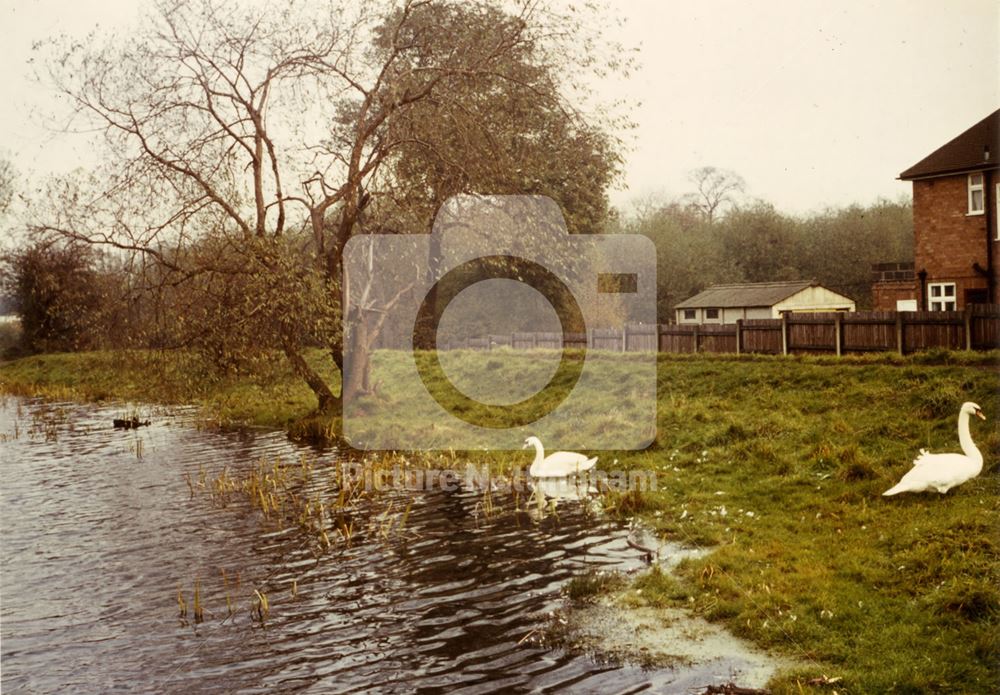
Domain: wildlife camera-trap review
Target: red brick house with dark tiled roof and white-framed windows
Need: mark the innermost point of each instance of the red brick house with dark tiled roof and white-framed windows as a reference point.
(956, 194)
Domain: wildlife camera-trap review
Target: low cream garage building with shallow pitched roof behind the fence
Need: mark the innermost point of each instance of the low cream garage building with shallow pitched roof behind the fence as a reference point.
(759, 300)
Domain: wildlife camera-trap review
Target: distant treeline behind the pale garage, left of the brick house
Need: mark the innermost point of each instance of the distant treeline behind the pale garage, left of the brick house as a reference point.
(757, 243)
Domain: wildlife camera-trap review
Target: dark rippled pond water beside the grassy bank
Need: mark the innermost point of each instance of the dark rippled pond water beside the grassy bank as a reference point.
(100, 531)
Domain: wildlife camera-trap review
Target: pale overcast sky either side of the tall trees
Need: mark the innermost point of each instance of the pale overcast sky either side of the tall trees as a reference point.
(814, 103)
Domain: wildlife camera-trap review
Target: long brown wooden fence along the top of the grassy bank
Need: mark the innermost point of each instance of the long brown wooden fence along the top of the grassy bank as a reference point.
(976, 328)
